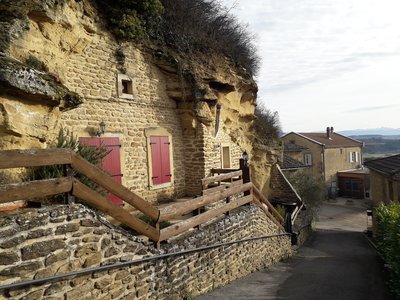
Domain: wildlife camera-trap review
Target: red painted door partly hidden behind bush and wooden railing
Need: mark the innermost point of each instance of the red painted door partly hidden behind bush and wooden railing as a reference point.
(111, 163)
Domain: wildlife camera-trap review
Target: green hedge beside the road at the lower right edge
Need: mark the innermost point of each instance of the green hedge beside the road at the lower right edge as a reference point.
(388, 240)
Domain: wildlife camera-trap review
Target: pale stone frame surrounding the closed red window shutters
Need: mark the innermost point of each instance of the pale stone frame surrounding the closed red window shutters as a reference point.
(158, 131)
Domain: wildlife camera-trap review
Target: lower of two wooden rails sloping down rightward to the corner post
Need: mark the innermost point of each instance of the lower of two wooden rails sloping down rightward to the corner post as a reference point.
(95, 199)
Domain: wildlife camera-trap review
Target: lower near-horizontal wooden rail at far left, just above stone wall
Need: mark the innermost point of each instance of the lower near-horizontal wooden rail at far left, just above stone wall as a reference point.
(34, 189)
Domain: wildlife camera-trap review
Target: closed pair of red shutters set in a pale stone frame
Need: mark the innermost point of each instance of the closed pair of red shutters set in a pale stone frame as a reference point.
(160, 159)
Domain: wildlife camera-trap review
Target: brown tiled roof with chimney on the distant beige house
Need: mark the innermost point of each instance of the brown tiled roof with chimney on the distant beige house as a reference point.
(335, 140)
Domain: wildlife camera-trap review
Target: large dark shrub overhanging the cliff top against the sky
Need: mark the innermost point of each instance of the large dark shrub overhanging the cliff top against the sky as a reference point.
(207, 26)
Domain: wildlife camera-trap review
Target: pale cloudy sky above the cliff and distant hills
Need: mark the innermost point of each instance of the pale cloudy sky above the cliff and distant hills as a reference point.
(327, 62)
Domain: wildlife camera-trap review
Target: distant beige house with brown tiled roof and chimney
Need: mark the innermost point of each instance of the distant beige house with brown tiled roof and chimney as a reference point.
(327, 153)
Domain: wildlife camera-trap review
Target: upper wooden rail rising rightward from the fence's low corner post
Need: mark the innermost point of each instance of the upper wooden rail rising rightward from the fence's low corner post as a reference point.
(173, 211)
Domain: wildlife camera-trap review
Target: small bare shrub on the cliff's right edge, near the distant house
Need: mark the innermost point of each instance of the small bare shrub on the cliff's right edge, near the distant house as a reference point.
(267, 126)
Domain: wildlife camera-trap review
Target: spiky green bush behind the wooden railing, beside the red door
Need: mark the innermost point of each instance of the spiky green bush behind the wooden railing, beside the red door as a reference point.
(67, 139)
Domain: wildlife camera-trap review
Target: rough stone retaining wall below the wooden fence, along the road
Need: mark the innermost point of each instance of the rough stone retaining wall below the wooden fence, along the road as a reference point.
(60, 239)
